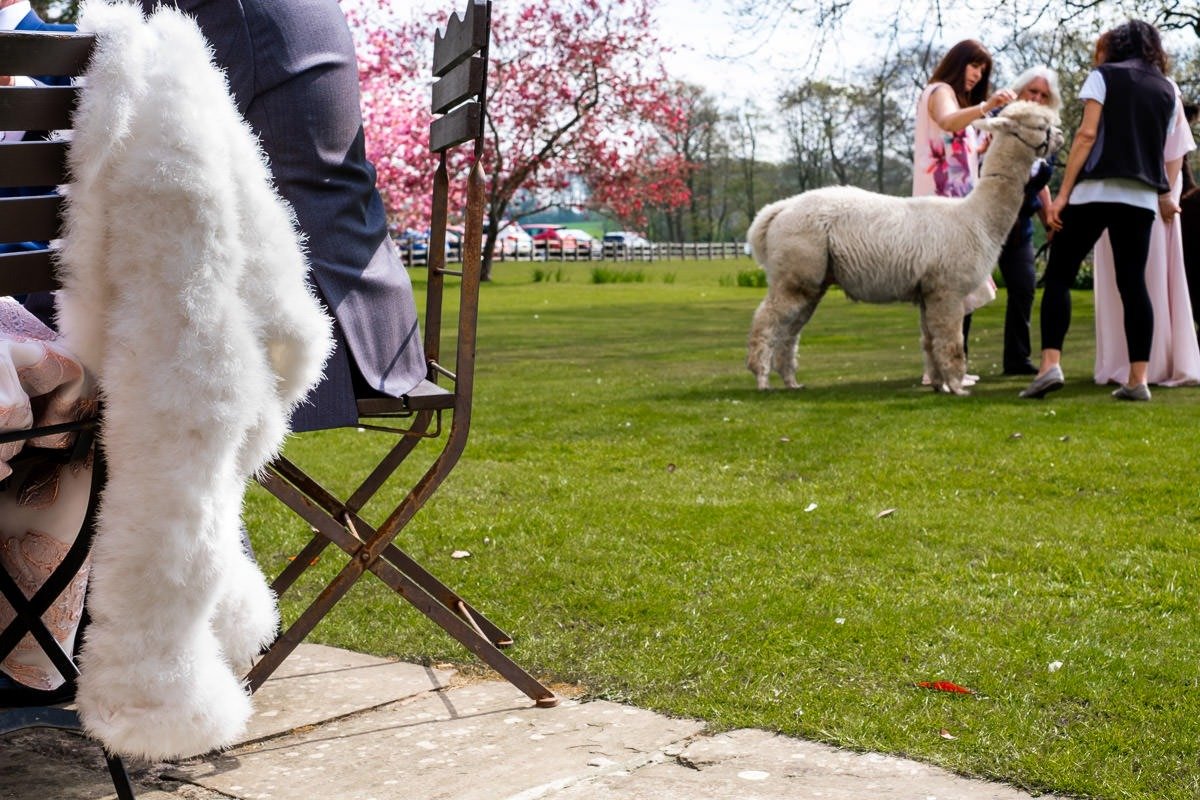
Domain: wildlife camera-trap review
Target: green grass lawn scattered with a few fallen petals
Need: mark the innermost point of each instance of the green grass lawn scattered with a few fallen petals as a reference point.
(653, 530)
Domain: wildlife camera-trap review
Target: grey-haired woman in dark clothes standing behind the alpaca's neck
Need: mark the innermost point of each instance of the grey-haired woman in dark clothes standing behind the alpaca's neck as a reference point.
(1037, 85)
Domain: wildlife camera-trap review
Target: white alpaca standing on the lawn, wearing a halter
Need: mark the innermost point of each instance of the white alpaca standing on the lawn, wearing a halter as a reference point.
(931, 251)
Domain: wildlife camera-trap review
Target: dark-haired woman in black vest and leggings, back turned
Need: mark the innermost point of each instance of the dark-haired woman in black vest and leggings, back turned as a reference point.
(1115, 181)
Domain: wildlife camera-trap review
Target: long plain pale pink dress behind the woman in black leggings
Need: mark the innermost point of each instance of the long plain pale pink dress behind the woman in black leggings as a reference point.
(1174, 354)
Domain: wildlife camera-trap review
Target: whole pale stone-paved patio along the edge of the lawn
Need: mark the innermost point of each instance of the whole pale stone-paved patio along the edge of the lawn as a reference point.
(339, 725)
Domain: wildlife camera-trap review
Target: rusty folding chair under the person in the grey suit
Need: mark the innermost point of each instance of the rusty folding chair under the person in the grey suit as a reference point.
(460, 67)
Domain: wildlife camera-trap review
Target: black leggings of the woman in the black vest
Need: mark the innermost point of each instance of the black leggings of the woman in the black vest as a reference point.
(1130, 233)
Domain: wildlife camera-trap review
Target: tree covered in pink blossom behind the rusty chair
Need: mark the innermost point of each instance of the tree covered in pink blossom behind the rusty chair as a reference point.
(578, 93)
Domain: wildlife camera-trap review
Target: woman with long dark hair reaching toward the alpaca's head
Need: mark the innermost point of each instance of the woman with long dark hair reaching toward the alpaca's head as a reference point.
(946, 153)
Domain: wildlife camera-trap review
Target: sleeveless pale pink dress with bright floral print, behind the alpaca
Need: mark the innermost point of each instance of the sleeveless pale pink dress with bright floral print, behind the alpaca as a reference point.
(947, 165)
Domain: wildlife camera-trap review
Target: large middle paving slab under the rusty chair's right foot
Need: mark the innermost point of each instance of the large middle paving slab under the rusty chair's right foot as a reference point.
(481, 742)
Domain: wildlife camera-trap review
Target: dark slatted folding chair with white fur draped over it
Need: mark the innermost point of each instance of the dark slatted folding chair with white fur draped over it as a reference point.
(32, 216)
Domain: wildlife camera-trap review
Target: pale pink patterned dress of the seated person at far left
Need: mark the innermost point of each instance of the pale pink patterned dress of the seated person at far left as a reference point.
(43, 506)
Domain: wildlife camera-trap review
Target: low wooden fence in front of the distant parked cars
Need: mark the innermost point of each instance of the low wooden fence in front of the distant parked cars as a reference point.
(554, 251)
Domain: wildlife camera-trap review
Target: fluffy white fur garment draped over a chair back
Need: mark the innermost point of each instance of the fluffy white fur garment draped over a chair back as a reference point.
(185, 294)
